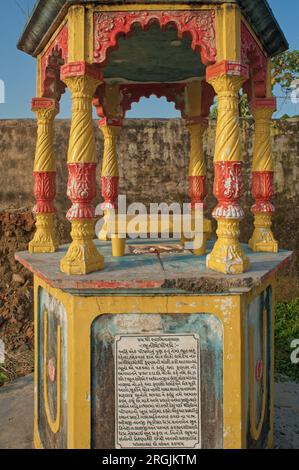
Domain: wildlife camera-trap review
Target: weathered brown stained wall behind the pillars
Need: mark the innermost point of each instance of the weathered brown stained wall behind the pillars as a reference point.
(153, 159)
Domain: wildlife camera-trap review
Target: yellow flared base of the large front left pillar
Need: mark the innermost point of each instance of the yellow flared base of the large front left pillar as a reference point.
(82, 256)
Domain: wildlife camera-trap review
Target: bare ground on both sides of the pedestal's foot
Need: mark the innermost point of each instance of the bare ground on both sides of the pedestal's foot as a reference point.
(16, 415)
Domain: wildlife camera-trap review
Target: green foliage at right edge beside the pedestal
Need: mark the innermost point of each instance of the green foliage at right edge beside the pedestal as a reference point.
(286, 330)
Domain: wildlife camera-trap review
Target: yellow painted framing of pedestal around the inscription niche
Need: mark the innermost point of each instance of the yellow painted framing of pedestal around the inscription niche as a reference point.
(81, 312)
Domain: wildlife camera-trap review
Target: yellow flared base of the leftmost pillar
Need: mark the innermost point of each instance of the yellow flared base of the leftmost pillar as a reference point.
(44, 240)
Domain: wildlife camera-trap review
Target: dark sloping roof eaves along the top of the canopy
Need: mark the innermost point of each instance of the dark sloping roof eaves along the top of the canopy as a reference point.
(257, 12)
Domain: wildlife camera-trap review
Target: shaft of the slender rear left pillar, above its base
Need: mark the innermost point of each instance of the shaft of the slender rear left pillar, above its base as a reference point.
(110, 174)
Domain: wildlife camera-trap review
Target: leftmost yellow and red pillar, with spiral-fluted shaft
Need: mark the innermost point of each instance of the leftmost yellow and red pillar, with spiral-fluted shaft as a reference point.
(44, 240)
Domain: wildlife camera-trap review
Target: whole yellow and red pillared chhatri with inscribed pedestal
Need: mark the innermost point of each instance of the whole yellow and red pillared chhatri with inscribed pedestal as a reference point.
(139, 344)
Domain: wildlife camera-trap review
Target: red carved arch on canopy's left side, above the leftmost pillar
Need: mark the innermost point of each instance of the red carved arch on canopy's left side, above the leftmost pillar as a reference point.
(54, 57)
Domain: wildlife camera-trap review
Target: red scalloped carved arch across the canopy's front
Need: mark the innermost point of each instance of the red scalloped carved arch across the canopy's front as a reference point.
(200, 25)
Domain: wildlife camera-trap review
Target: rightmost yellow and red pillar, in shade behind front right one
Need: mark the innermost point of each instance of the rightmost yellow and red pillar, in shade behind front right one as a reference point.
(262, 177)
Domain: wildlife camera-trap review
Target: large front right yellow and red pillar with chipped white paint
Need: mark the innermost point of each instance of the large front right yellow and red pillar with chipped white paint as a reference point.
(227, 256)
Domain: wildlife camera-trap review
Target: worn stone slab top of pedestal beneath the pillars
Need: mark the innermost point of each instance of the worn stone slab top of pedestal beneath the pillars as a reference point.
(158, 267)
